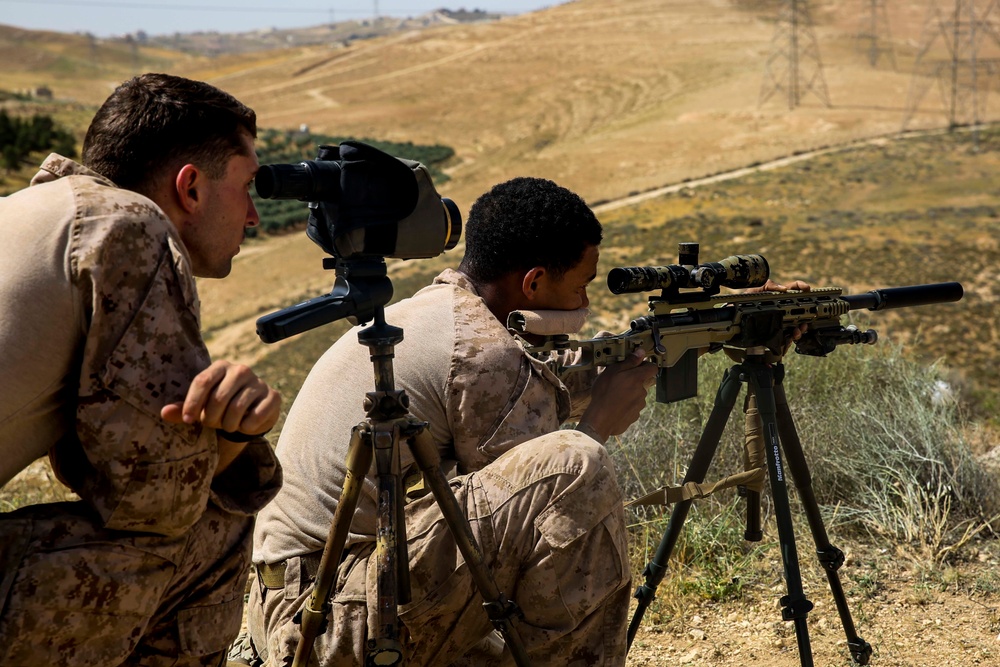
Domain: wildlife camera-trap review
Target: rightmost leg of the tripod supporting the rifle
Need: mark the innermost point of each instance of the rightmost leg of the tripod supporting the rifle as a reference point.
(830, 556)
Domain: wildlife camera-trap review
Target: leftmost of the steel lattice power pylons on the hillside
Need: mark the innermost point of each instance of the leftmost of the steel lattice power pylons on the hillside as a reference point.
(794, 65)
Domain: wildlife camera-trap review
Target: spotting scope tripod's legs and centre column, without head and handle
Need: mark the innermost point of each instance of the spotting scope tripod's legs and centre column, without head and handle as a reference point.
(387, 422)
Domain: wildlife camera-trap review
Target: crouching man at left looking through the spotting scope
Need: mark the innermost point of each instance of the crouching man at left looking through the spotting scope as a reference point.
(105, 370)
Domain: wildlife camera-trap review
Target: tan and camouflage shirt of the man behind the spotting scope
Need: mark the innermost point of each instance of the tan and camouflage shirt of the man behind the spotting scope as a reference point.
(112, 310)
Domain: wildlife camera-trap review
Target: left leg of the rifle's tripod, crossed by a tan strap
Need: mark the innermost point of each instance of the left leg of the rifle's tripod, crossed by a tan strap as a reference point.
(655, 570)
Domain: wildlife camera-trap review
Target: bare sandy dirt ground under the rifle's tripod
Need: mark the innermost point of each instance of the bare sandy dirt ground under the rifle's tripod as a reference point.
(950, 616)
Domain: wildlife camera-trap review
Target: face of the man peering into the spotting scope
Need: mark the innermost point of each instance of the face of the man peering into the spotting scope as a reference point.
(225, 214)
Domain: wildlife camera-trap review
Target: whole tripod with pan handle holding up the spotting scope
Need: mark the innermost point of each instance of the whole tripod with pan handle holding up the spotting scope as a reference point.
(361, 291)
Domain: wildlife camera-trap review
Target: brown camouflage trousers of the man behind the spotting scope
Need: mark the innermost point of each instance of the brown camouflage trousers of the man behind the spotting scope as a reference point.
(74, 593)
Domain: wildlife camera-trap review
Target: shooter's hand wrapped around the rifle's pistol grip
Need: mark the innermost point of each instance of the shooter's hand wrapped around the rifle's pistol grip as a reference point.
(619, 395)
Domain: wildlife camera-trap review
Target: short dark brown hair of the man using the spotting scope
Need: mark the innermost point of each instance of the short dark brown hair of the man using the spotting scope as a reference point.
(157, 122)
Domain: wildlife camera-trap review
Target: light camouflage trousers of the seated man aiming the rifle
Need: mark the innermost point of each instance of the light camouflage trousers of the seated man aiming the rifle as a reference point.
(548, 517)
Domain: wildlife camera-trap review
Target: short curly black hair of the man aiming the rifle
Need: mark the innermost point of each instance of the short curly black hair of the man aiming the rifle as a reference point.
(527, 222)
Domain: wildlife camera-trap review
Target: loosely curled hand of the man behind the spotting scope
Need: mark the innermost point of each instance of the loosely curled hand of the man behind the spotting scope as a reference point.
(230, 397)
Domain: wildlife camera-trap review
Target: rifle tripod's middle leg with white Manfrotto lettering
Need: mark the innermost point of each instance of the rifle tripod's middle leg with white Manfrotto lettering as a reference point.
(795, 605)
